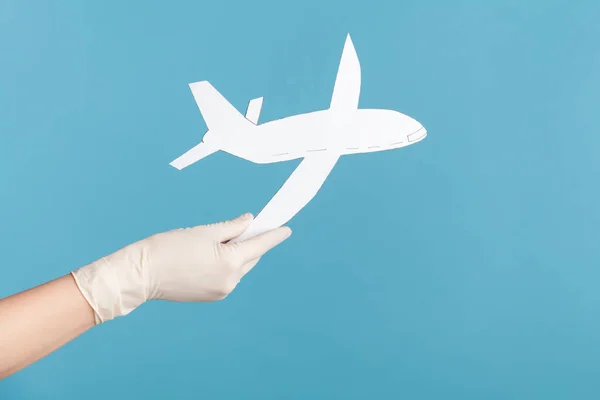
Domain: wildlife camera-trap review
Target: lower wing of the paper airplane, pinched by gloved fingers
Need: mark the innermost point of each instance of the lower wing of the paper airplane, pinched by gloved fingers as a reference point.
(296, 192)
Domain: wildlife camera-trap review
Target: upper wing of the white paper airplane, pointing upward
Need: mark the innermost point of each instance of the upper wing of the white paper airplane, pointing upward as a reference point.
(346, 90)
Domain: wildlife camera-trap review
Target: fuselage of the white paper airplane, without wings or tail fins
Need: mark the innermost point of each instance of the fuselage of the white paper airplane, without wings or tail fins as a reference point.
(298, 136)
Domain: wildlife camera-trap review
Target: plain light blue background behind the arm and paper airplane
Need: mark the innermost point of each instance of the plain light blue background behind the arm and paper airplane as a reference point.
(464, 267)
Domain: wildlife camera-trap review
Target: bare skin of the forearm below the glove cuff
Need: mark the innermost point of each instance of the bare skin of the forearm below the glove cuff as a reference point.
(38, 321)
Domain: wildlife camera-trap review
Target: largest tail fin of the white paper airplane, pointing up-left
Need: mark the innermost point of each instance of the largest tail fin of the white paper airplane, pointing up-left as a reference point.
(220, 116)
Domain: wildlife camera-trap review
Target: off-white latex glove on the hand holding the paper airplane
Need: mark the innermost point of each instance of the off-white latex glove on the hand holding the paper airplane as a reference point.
(191, 264)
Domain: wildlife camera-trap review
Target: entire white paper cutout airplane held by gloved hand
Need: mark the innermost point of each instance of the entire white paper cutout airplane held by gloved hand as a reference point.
(319, 138)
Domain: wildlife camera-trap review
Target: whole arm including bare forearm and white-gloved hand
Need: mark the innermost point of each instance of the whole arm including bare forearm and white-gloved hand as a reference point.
(192, 264)
